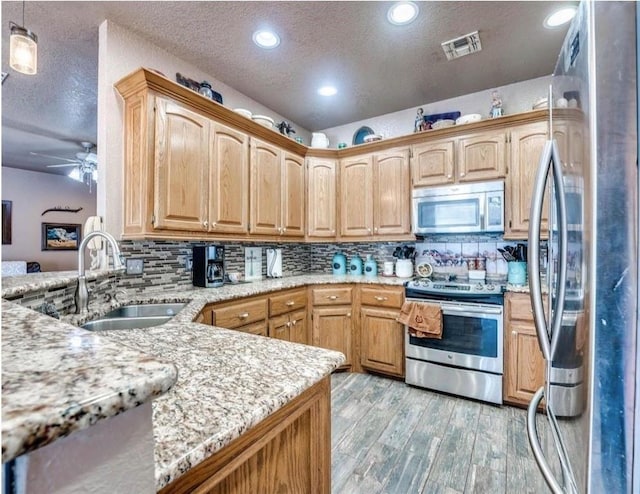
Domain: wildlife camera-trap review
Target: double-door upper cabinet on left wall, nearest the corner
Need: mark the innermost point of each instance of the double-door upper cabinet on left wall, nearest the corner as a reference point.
(277, 192)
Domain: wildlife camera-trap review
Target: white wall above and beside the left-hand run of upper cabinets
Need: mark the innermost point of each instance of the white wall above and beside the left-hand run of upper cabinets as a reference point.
(120, 53)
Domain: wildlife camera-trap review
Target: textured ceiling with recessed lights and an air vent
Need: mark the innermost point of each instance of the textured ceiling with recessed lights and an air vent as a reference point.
(377, 67)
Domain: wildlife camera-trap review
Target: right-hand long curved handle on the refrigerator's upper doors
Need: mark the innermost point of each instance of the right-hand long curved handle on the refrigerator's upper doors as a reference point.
(561, 206)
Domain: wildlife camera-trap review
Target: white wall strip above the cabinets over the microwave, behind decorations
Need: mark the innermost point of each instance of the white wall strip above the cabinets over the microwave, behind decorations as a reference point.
(517, 98)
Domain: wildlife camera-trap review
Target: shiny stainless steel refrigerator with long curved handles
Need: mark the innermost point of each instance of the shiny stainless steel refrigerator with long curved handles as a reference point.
(588, 439)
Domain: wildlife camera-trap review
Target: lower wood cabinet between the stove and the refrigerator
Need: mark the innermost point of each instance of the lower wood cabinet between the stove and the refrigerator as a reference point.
(524, 363)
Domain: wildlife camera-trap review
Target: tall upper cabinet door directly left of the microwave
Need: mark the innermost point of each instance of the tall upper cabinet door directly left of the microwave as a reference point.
(392, 193)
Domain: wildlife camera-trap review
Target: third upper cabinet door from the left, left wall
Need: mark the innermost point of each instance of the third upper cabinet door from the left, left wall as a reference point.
(265, 188)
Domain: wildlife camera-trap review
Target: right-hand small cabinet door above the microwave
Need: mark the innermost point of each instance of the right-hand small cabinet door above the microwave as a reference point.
(482, 156)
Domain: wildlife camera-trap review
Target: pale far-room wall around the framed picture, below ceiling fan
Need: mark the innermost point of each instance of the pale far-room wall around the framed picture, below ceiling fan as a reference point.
(32, 193)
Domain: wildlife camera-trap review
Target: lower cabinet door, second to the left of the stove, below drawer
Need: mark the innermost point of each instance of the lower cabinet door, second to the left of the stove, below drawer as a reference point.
(331, 329)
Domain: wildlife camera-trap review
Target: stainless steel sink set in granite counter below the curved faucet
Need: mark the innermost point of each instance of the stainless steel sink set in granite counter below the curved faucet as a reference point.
(135, 316)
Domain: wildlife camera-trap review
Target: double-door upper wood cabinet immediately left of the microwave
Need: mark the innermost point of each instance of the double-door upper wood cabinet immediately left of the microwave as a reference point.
(375, 196)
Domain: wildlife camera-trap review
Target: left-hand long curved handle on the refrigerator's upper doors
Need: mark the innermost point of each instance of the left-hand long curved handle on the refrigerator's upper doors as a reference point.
(533, 260)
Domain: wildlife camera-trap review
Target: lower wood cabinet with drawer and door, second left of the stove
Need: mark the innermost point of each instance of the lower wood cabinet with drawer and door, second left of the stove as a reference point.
(332, 321)
